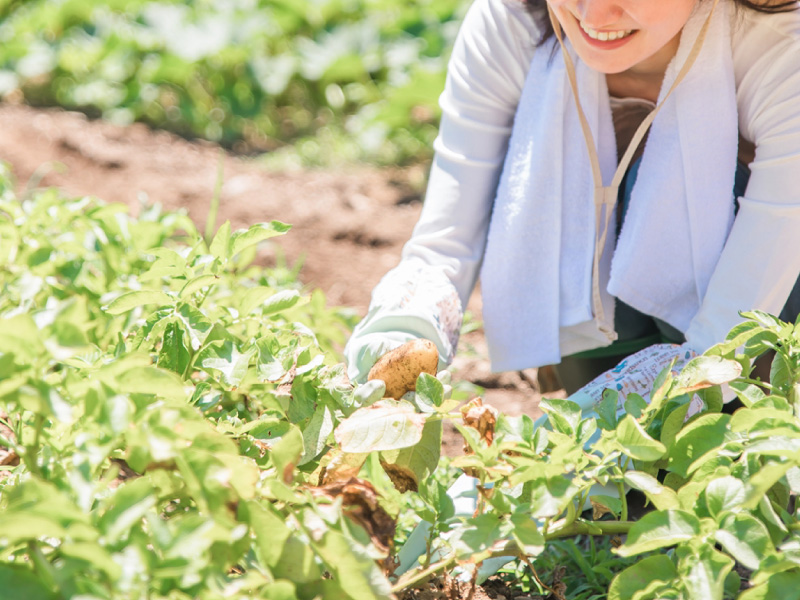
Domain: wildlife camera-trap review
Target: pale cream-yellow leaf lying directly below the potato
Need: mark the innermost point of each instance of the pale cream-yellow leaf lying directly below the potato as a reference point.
(386, 425)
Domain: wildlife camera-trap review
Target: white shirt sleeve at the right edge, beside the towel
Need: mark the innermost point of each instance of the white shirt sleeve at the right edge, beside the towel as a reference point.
(761, 259)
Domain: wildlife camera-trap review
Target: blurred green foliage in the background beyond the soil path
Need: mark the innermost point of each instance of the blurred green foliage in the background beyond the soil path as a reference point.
(355, 78)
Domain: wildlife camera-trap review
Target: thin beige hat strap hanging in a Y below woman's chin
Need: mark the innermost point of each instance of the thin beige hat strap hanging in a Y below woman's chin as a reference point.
(605, 197)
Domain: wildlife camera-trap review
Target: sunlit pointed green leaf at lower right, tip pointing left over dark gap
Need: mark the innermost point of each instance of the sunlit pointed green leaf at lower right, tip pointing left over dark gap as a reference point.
(660, 529)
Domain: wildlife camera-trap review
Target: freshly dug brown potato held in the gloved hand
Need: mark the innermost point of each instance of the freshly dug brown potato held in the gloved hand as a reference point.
(400, 367)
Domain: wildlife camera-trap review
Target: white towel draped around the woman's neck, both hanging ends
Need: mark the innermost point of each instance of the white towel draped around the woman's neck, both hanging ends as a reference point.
(536, 275)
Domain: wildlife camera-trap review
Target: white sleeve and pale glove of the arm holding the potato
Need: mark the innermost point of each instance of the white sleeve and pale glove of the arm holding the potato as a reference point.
(424, 295)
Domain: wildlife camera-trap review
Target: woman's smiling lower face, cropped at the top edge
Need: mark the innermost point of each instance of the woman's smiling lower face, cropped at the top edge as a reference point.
(613, 36)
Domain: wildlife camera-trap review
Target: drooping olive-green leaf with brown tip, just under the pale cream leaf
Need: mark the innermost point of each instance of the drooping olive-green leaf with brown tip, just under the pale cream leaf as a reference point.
(416, 462)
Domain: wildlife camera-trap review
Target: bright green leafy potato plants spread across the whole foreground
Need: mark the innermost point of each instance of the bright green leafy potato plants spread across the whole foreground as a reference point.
(174, 424)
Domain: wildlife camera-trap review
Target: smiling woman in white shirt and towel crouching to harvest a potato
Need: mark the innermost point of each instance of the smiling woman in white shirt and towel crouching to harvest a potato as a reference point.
(583, 263)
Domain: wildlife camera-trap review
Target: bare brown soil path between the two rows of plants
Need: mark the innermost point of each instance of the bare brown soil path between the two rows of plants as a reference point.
(349, 225)
